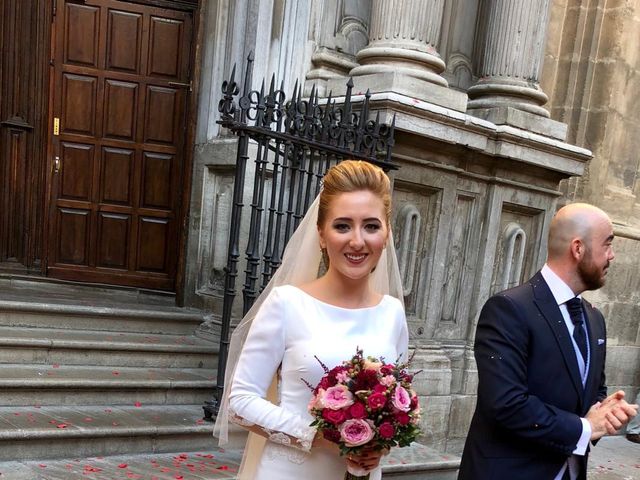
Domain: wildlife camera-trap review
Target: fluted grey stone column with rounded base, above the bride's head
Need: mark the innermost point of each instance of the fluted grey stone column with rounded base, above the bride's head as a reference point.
(402, 39)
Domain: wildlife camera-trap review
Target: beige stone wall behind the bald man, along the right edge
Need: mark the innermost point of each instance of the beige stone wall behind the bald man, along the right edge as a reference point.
(591, 73)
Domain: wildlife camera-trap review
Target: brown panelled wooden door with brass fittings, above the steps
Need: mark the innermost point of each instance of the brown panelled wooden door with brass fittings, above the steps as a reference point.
(122, 76)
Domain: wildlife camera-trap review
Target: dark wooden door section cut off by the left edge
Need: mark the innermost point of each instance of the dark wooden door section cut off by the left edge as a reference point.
(24, 80)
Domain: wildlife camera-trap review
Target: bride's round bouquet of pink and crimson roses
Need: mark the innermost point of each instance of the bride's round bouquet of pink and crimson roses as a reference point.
(366, 403)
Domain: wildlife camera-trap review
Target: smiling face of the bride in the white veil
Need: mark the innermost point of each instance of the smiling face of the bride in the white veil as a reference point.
(354, 233)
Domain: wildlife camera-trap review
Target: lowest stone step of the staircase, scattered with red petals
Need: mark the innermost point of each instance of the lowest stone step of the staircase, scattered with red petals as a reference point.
(36, 433)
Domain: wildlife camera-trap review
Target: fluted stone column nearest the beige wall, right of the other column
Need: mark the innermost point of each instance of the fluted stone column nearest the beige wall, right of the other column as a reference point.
(509, 49)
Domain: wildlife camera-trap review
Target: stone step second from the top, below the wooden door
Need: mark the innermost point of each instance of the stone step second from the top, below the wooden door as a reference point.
(107, 348)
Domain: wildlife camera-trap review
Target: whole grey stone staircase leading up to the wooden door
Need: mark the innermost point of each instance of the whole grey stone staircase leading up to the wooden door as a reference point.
(90, 372)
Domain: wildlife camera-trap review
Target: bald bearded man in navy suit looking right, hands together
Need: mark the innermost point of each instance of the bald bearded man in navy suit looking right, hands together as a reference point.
(540, 352)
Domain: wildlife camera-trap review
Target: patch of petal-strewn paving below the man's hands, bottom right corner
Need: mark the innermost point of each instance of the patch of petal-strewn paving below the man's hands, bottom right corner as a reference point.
(615, 458)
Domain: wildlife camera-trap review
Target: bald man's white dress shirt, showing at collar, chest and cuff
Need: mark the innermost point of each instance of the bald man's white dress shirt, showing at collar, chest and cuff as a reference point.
(562, 293)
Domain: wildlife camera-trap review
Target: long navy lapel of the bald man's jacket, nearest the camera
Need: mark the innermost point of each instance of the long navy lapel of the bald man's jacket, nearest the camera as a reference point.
(550, 311)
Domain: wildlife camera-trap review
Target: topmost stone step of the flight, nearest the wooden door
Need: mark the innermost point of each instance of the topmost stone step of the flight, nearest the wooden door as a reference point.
(149, 319)
